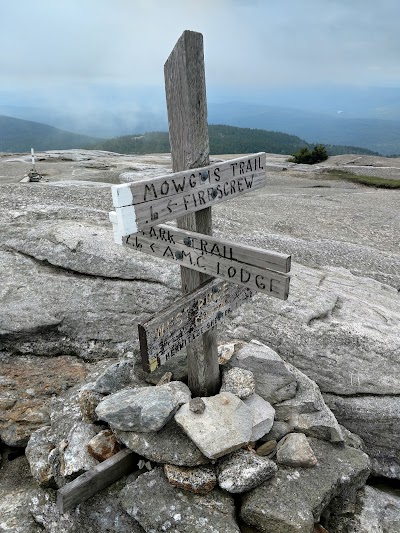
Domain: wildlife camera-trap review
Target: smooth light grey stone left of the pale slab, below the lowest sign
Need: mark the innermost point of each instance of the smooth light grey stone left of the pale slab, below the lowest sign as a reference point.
(143, 409)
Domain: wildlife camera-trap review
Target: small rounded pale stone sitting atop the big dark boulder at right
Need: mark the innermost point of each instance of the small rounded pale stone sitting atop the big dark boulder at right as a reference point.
(295, 450)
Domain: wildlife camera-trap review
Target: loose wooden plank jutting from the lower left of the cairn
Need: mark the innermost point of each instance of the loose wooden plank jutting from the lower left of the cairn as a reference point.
(95, 480)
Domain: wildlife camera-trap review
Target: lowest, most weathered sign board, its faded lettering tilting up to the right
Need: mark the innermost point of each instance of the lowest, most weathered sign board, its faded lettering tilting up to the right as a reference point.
(169, 331)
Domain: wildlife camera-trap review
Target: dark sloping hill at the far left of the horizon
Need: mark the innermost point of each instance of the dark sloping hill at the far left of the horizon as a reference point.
(17, 135)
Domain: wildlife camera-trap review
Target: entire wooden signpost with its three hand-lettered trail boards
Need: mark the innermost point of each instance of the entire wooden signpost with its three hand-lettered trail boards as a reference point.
(188, 195)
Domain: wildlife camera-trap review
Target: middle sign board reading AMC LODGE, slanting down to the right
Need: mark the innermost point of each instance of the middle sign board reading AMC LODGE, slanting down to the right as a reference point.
(256, 269)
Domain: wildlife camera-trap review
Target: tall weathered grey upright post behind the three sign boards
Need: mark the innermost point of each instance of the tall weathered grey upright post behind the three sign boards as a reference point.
(185, 89)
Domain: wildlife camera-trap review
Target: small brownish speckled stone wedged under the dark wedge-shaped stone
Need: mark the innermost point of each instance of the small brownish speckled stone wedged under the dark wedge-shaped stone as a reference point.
(200, 479)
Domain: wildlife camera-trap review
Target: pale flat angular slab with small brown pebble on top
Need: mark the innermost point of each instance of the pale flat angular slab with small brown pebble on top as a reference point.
(224, 426)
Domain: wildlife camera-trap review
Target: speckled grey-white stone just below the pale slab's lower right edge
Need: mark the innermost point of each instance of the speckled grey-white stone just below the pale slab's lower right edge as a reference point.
(244, 470)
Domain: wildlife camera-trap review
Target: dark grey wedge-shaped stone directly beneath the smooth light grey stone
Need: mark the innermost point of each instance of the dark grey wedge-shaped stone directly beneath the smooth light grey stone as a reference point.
(168, 445)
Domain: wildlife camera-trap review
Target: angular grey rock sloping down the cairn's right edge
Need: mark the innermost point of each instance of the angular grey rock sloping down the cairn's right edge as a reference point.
(307, 411)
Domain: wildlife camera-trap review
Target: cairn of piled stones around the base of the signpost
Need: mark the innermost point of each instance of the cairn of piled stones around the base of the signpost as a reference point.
(265, 454)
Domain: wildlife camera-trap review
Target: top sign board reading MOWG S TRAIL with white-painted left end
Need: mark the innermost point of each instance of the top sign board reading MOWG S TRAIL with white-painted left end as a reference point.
(155, 200)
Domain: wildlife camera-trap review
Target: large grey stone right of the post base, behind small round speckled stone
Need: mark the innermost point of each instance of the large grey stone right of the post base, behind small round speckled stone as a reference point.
(274, 382)
